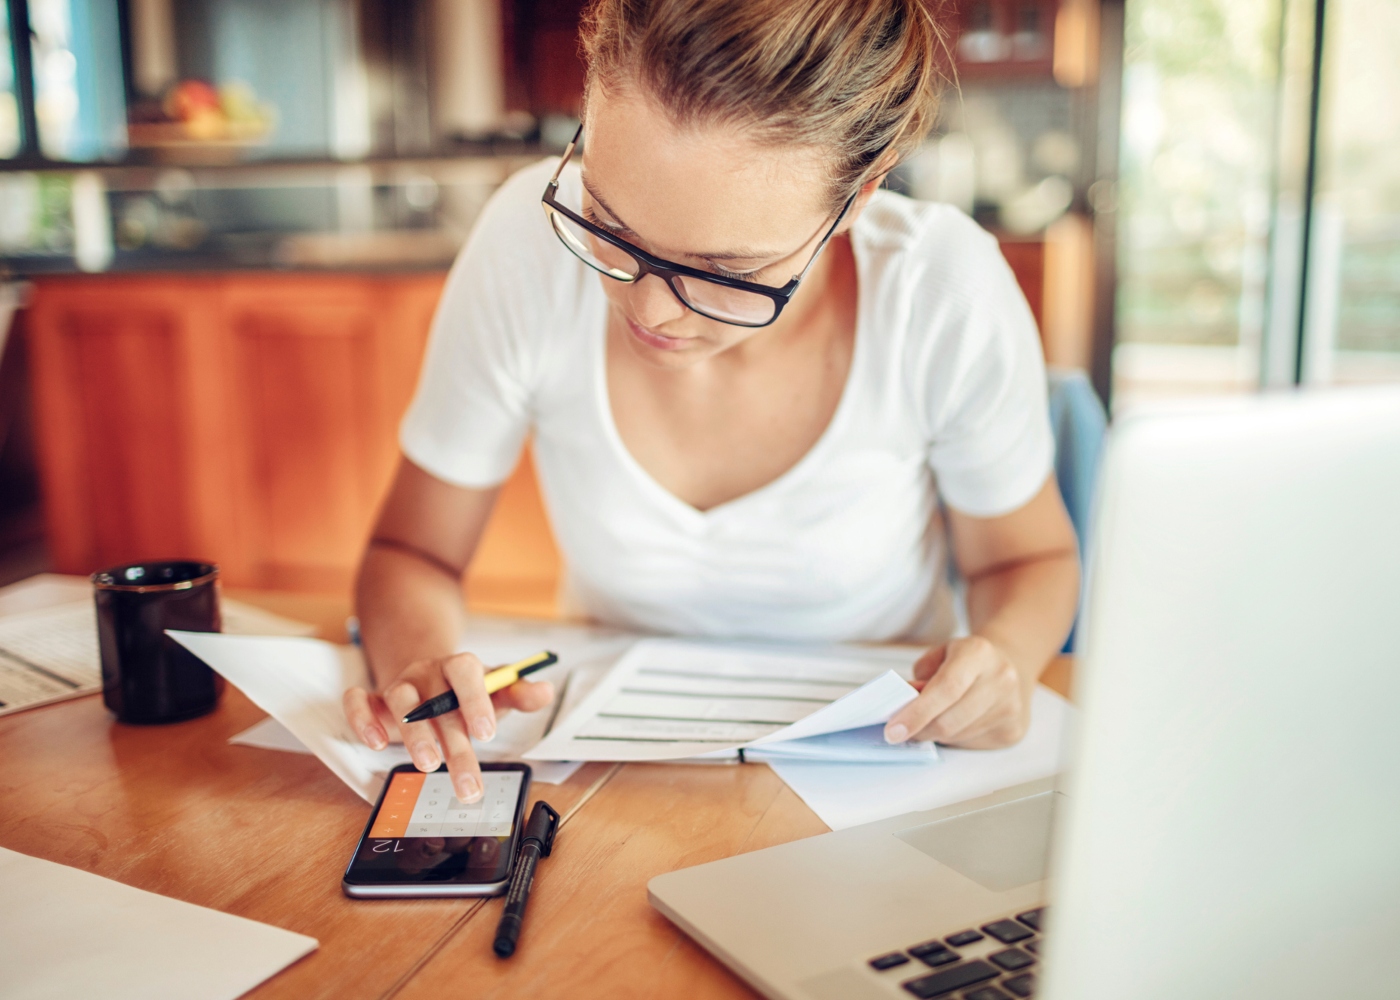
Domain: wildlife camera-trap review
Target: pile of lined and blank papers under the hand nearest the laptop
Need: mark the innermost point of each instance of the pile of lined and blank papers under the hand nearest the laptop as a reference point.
(815, 716)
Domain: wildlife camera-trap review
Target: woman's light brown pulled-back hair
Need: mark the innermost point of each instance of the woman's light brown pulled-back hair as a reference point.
(856, 78)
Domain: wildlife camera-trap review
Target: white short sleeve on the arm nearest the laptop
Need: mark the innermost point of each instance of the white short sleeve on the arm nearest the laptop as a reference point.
(982, 379)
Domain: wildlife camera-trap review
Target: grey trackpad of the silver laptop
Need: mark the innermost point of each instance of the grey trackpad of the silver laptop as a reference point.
(1000, 848)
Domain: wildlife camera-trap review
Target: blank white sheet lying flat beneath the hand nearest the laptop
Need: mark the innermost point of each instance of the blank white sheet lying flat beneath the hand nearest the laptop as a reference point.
(849, 795)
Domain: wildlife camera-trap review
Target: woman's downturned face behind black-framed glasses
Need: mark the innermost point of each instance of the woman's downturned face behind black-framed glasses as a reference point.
(706, 198)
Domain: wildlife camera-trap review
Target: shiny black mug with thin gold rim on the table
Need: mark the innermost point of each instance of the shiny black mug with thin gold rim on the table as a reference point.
(148, 677)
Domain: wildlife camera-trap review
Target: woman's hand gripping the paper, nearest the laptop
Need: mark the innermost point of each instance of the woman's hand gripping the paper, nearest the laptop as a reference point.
(971, 695)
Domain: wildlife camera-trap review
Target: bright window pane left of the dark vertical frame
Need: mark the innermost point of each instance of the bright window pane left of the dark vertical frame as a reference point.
(1195, 194)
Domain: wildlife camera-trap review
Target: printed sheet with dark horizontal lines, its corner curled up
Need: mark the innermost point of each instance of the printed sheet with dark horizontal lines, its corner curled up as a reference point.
(671, 700)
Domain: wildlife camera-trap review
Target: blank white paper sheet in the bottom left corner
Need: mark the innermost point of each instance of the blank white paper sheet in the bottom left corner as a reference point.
(69, 933)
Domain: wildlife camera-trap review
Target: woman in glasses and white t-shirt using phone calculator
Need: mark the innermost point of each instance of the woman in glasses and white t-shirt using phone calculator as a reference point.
(754, 382)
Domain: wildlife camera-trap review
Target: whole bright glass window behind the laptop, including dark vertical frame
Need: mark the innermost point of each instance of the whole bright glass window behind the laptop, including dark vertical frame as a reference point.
(1259, 201)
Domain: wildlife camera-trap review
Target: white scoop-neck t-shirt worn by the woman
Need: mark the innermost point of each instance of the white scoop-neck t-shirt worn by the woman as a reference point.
(946, 397)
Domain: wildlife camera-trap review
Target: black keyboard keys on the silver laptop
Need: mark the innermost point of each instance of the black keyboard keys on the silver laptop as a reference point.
(1003, 974)
